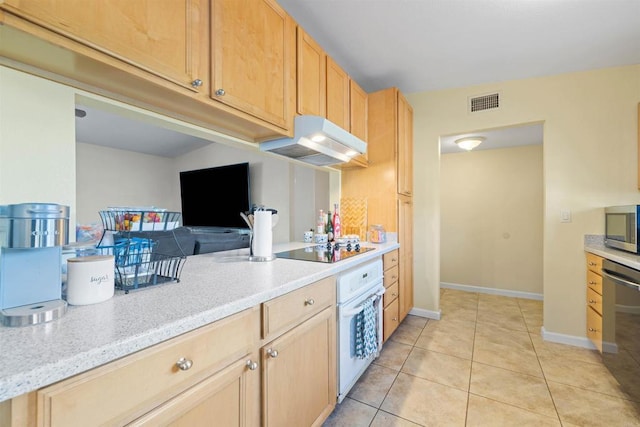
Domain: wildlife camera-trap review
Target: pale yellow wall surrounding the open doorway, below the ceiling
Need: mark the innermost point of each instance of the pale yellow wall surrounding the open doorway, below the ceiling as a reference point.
(590, 161)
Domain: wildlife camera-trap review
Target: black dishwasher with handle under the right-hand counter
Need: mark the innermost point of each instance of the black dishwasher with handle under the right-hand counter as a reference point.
(621, 326)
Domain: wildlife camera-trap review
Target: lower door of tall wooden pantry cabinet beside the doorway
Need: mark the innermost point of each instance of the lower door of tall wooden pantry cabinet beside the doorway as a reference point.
(405, 238)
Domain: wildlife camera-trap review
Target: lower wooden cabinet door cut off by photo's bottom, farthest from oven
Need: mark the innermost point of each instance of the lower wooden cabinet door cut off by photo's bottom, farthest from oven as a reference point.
(229, 398)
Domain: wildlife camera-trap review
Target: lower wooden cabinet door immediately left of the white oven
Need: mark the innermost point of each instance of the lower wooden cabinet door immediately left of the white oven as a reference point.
(299, 381)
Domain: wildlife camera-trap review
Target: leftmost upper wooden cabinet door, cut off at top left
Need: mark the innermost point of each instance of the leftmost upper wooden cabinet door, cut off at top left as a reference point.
(162, 37)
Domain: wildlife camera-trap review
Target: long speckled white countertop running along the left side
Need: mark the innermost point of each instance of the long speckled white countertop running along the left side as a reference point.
(212, 286)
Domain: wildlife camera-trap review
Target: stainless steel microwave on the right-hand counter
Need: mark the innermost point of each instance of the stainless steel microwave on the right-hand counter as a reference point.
(621, 227)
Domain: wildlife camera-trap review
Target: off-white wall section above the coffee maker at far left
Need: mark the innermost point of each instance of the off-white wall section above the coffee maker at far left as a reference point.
(37, 141)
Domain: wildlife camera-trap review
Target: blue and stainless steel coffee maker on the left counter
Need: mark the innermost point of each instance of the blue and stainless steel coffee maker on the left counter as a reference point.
(31, 240)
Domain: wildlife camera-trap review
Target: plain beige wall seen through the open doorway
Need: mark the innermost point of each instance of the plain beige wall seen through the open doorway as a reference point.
(491, 219)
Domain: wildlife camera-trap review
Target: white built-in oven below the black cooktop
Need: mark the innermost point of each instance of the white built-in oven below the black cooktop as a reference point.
(356, 287)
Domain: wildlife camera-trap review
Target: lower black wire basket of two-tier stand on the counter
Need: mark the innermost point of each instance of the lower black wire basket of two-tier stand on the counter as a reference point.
(138, 266)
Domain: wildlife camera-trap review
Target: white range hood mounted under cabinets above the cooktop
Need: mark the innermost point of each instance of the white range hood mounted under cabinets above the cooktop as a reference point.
(317, 141)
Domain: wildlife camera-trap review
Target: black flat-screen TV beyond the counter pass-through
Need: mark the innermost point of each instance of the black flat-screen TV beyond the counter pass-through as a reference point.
(214, 197)
